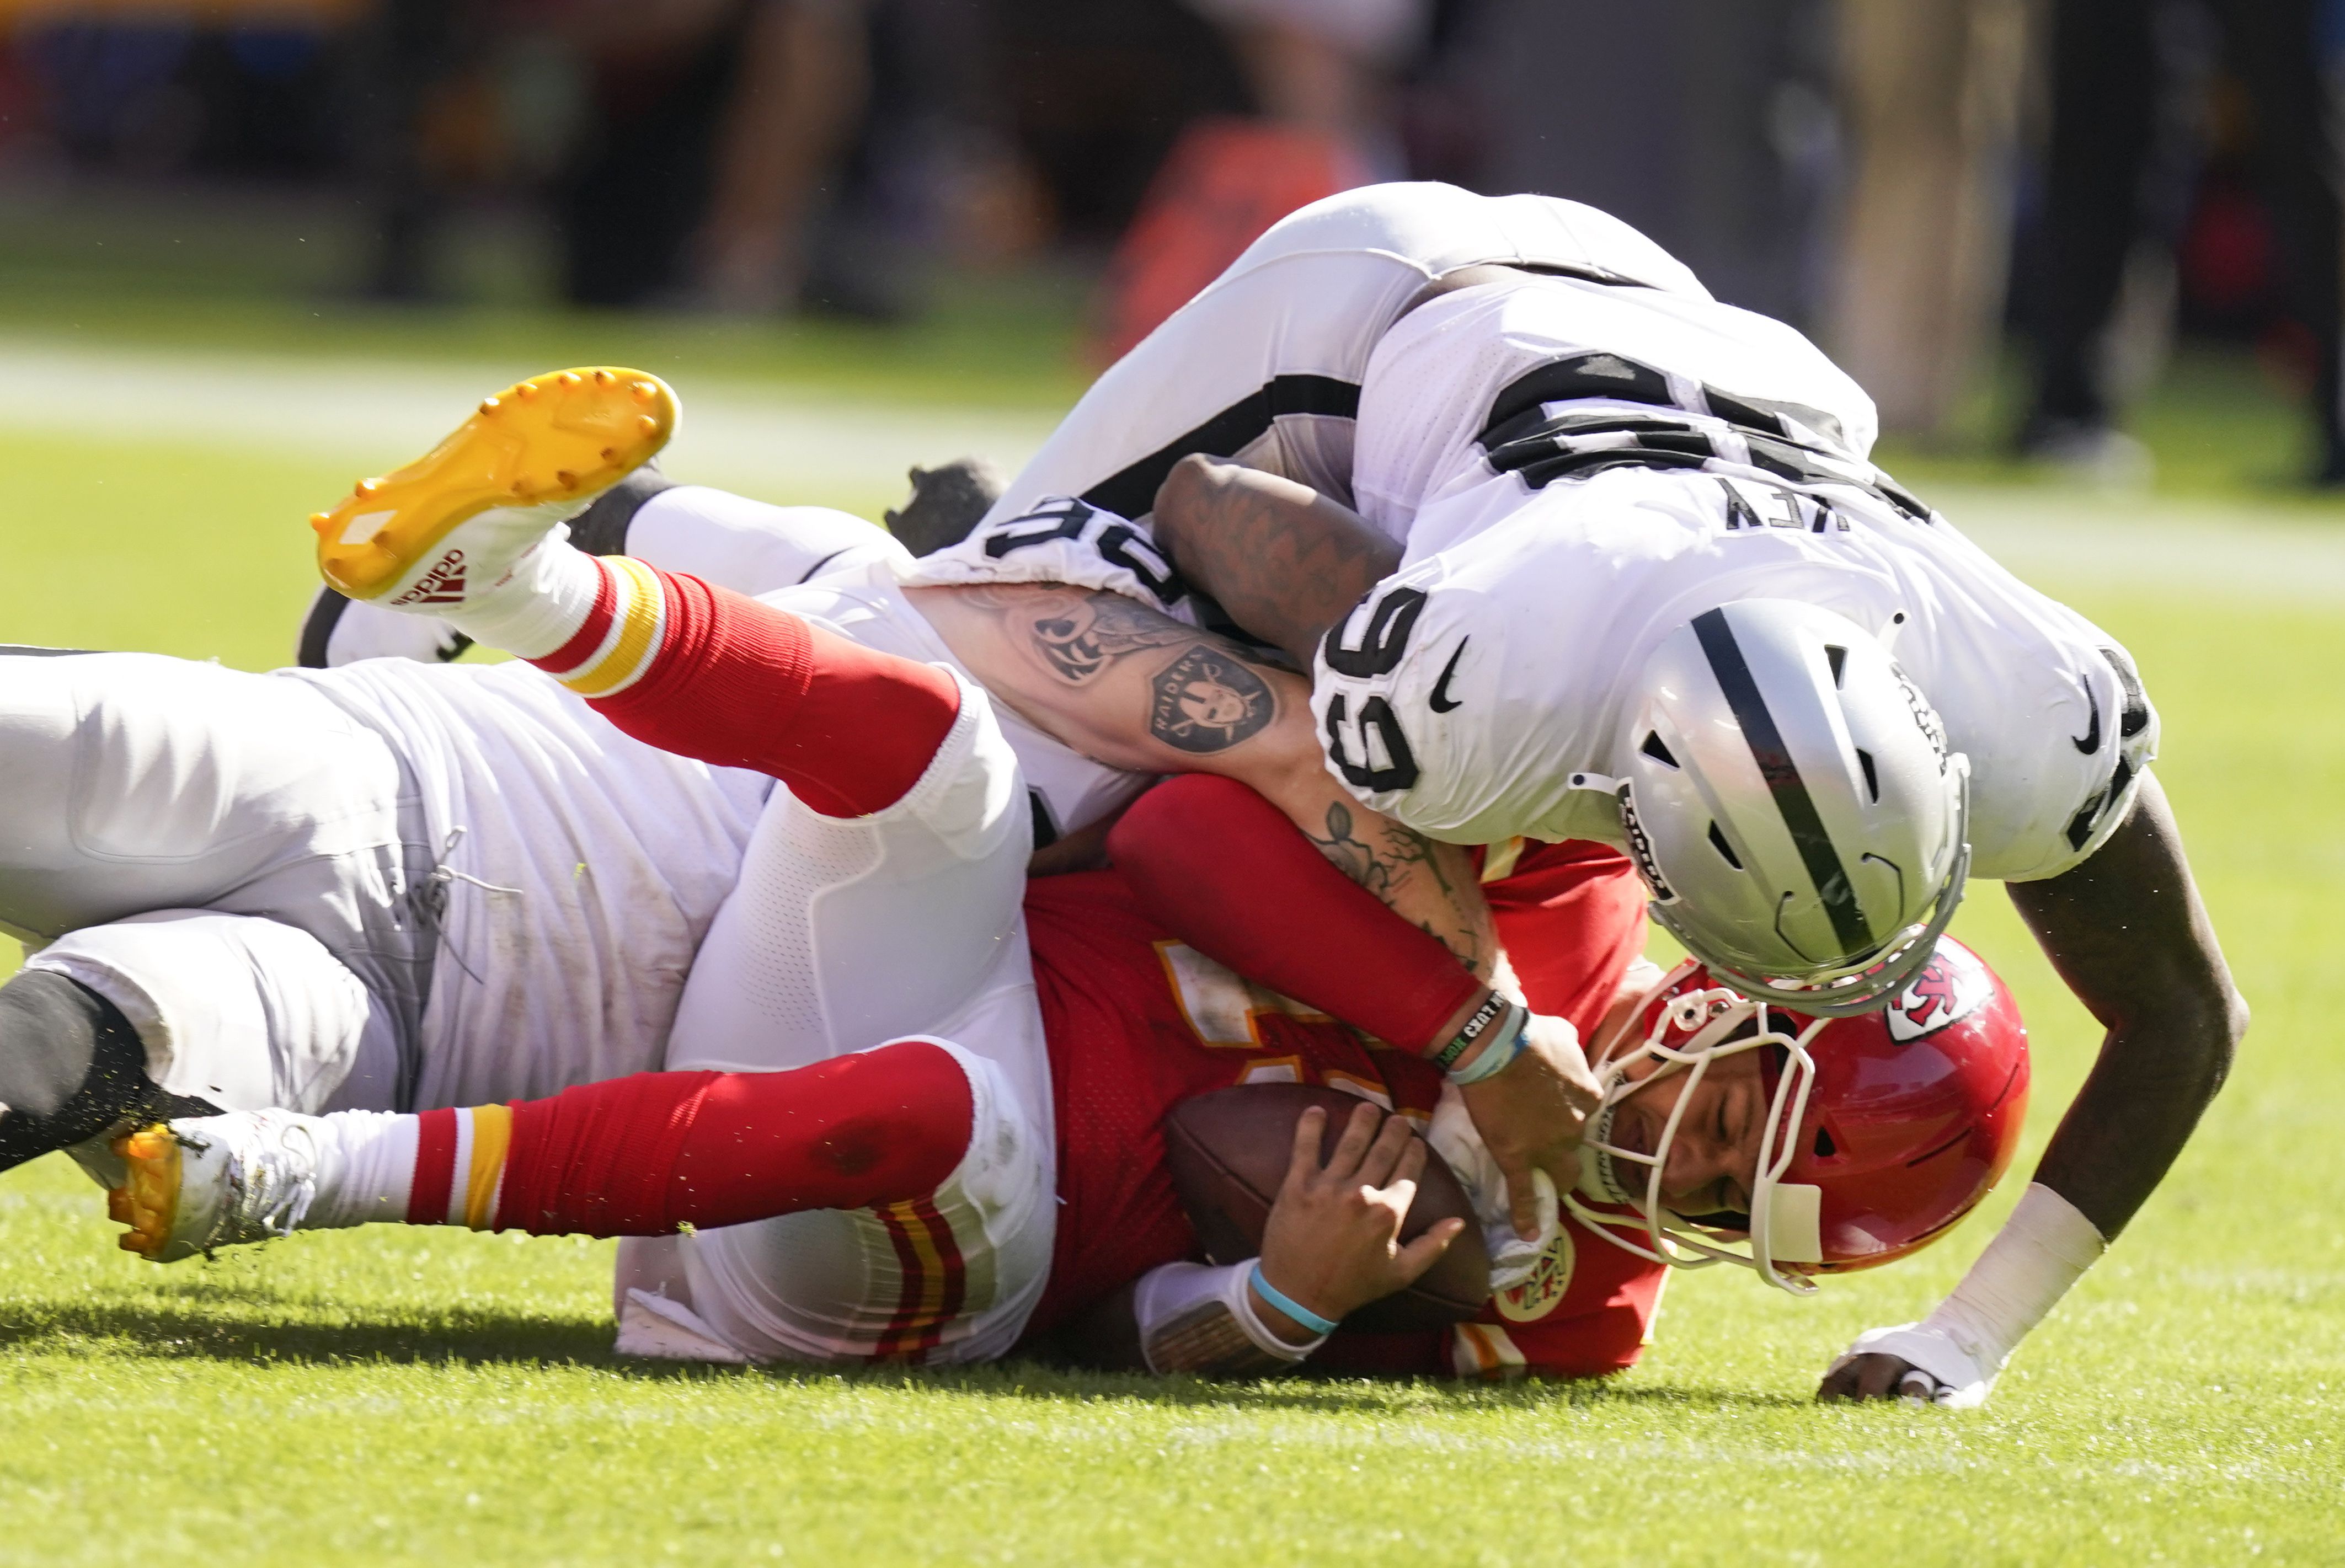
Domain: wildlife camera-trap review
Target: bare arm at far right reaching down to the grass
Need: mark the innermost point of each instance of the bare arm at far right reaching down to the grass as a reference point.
(2133, 941)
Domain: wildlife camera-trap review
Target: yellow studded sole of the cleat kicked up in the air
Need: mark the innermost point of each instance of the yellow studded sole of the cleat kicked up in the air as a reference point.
(559, 437)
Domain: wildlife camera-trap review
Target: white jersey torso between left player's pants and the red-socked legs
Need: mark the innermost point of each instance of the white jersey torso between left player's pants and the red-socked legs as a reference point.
(580, 873)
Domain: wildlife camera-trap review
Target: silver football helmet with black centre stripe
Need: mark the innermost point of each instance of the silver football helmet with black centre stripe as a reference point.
(1793, 805)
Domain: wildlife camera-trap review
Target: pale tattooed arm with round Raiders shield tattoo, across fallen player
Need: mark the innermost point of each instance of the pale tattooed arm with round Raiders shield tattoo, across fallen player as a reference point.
(1138, 690)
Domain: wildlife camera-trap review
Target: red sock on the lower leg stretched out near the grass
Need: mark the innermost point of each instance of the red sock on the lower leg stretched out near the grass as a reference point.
(655, 1152)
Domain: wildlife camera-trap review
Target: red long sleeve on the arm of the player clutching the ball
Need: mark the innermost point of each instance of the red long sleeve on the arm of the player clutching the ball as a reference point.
(1232, 878)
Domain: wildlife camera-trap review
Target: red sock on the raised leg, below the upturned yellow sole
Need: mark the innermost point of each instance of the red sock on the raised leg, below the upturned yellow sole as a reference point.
(747, 686)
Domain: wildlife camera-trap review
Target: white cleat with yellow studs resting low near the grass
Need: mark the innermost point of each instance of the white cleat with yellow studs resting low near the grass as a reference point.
(215, 1182)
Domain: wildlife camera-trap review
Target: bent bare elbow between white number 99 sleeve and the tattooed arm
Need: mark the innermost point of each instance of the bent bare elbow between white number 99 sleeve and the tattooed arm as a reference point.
(1282, 559)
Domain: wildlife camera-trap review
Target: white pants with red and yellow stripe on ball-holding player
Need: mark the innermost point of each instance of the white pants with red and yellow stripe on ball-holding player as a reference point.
(843, 936)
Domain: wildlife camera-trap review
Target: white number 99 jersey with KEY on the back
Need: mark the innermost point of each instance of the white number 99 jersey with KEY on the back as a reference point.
(1579, 470)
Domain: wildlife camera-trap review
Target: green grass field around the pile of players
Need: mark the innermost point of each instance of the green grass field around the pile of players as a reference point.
(440, 1398)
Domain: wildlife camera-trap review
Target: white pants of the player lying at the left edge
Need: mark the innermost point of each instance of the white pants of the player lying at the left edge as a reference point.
(280, 838)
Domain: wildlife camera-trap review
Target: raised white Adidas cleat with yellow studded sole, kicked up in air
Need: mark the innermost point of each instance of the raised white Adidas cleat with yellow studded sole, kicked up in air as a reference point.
(529, 458)
